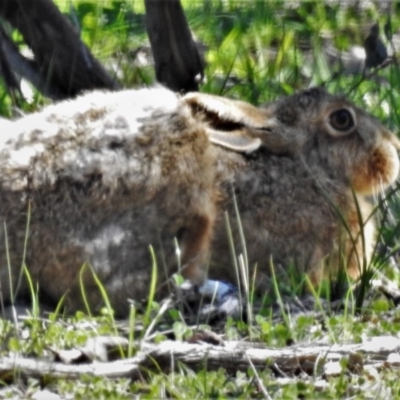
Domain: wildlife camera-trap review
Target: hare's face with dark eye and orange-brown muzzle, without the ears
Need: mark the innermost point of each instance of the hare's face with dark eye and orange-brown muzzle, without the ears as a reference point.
(340, 137)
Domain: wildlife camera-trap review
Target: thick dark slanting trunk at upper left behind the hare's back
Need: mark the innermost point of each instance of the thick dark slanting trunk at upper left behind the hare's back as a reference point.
(63, 66)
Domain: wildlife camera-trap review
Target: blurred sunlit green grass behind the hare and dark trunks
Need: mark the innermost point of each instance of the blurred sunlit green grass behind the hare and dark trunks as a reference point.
(254, 50)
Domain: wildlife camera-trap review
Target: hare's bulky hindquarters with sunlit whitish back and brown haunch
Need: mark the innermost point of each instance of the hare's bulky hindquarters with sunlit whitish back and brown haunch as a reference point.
(106, 176)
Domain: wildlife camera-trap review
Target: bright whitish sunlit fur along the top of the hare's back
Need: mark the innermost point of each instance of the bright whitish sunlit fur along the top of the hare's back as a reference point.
(76, 137)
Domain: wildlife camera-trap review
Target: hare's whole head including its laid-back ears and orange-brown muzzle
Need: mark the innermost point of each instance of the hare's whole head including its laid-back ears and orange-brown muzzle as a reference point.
(327, 131)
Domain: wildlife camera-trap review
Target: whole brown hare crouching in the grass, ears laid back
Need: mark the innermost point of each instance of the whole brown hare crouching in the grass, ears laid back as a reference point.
(86, 186)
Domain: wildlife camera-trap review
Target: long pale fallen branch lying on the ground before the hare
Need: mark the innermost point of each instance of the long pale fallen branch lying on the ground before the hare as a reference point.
(233, 356)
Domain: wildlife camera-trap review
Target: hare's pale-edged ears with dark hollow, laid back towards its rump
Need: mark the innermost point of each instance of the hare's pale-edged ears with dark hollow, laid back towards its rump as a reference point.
(229, 123)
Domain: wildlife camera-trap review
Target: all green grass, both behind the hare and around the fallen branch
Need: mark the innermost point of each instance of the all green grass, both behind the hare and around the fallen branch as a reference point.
(256, 51)
